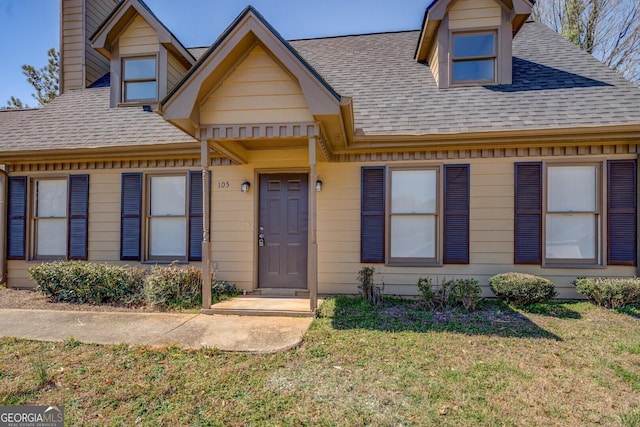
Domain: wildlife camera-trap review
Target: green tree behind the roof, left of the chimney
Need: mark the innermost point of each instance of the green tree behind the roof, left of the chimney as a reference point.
(45, 81)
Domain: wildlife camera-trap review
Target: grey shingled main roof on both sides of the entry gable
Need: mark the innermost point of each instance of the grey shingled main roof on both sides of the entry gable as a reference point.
(555, 85)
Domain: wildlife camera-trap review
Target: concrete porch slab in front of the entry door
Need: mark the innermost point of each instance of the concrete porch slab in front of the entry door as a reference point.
(250, 305)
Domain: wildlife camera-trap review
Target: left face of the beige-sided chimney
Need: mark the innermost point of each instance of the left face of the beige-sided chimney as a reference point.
(72, 45)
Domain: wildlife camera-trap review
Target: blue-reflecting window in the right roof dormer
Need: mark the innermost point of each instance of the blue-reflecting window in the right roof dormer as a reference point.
(474, 57)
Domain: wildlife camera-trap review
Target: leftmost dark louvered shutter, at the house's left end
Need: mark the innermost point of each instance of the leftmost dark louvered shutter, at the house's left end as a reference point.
(17, 217)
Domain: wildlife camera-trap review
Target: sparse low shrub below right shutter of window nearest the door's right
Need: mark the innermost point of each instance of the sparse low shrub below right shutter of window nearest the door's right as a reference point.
(451, 293)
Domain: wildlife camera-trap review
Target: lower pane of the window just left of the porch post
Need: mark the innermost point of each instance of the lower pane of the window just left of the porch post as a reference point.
(168, 237)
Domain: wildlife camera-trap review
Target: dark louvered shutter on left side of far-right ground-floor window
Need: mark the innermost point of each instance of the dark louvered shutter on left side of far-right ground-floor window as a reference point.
(528, 213)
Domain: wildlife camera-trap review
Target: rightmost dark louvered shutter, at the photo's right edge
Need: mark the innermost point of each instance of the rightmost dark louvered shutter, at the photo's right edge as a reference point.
(621, 205)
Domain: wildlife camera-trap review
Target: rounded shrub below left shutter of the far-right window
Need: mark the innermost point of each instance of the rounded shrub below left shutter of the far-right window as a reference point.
(522, 289)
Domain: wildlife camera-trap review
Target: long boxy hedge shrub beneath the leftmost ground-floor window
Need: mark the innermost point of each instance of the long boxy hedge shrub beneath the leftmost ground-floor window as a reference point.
(86, 282)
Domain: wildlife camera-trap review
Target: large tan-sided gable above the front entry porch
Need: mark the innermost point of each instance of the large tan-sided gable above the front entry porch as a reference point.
(287, 73)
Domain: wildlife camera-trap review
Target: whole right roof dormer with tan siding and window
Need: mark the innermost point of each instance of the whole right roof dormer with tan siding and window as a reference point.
(469, 42)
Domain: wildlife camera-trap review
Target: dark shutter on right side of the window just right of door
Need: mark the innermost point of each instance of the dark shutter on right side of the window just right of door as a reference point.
(456, 214)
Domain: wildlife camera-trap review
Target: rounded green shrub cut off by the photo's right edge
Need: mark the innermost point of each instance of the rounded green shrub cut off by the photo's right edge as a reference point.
(610, 292)
